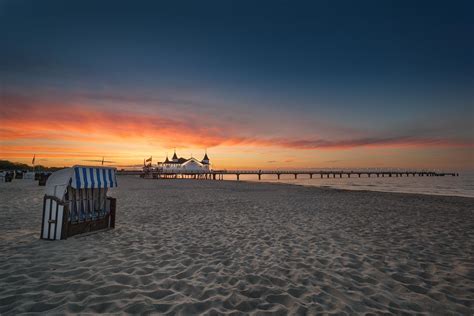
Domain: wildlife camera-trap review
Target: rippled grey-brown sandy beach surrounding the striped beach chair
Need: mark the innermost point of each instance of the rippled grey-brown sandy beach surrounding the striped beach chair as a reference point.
(212, 247)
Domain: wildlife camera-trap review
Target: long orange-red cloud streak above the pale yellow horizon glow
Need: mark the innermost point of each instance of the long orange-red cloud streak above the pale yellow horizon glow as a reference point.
(22, 119)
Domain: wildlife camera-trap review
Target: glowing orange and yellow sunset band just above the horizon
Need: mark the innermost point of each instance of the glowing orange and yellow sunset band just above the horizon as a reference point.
(78, 132)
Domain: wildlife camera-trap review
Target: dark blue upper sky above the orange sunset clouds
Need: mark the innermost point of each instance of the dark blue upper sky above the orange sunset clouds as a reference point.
(386, 67)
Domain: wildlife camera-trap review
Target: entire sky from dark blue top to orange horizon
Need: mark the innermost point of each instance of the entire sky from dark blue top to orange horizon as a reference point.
(258, 84)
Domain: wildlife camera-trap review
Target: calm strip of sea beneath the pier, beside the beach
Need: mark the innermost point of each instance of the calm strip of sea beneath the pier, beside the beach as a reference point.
(462, 185)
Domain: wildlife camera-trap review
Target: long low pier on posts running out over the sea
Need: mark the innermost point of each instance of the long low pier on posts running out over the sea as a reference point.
(219, 174)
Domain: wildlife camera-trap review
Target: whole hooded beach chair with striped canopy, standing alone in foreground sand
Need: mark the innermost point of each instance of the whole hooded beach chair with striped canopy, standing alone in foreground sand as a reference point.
(76, 202)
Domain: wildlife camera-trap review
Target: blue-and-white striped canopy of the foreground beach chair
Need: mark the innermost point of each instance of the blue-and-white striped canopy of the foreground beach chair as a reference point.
(93, 177)
